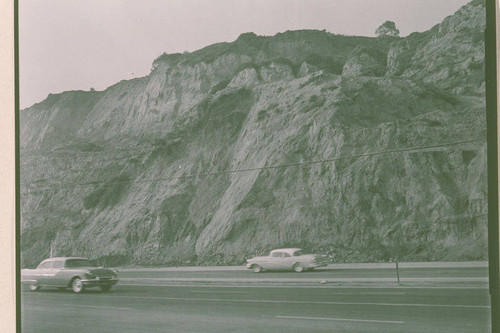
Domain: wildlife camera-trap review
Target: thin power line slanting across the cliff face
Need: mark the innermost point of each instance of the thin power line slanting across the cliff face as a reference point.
(449, 144)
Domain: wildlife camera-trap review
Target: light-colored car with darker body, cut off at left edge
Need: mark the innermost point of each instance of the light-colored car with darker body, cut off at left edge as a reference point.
(69, 272)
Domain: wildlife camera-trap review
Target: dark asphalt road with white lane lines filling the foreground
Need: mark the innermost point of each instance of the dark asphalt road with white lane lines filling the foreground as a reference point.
(139, 306)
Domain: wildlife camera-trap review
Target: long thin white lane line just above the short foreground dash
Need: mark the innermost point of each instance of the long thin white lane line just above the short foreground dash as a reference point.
(300, 302)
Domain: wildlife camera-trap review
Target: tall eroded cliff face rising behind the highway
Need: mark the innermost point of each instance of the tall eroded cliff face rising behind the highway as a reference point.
(361, 148)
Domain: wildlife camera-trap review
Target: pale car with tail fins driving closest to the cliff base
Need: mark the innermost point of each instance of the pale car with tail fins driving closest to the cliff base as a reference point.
(287, 259)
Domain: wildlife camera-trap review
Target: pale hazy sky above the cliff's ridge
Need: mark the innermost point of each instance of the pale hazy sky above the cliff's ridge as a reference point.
(83, 44)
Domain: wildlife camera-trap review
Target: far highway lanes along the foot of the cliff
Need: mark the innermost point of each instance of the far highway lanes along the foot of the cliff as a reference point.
(437, 274)
